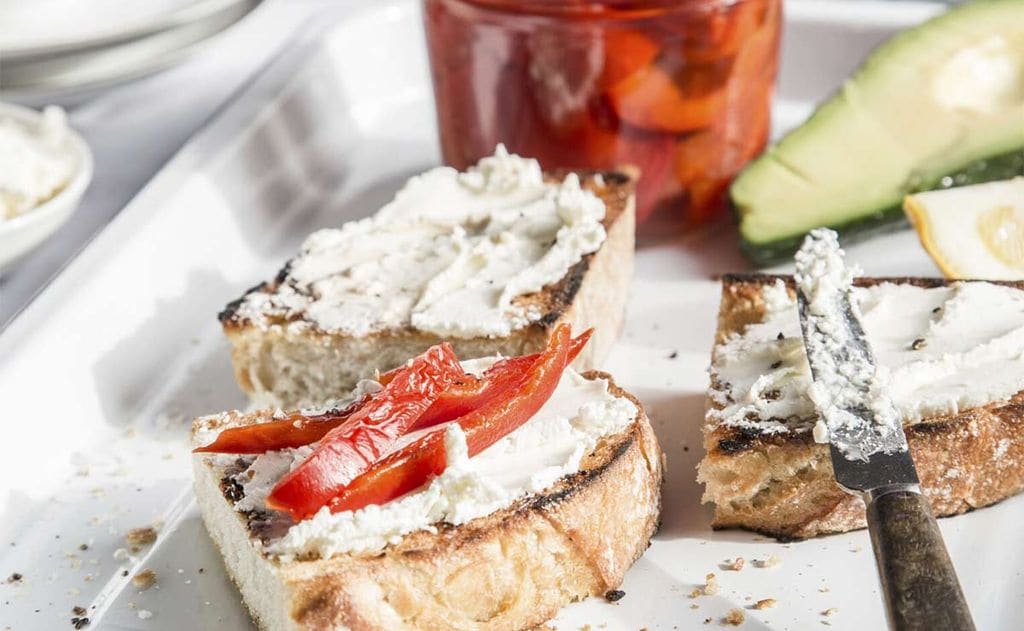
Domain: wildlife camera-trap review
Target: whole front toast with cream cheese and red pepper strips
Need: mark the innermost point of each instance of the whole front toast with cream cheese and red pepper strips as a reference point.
(441, 495)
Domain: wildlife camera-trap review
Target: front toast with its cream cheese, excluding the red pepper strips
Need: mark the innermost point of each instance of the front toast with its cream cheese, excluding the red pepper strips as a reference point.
(553, 513)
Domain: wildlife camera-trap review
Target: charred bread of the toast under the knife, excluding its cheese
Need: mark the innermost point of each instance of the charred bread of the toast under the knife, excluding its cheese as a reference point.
(783, 484)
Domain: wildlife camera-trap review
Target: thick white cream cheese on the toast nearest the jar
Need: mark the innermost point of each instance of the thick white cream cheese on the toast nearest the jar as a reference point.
(449, 256)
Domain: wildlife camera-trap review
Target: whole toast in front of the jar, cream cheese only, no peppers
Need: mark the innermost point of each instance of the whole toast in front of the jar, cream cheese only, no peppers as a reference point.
(492, 261)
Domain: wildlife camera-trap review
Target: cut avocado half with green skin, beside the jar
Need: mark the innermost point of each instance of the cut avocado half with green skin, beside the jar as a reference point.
(938, 106)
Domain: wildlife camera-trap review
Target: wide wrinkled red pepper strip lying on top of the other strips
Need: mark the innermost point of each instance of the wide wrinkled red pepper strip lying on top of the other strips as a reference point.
(348, 451)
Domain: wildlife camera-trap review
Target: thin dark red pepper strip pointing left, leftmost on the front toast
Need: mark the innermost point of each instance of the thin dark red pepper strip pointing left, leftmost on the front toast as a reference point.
(291, 432)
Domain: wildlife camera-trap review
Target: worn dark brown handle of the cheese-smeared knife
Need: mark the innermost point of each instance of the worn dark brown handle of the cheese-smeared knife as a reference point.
(918, 578)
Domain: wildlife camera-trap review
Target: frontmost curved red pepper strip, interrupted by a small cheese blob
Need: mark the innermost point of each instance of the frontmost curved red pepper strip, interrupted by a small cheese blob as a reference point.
(413, 466)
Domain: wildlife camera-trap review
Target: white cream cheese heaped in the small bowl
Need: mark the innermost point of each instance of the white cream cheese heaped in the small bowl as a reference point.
(36, 161)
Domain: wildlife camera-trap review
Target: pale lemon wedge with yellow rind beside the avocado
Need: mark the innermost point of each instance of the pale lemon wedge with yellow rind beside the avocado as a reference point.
(973, 232)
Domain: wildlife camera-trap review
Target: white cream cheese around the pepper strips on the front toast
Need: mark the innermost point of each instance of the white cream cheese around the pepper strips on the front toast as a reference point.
(531, 459)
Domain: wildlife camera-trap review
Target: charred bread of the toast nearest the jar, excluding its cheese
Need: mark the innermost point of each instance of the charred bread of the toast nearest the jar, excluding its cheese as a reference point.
(280, 365)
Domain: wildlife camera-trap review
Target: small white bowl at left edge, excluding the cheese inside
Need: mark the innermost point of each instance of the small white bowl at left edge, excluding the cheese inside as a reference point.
(27, 231)
